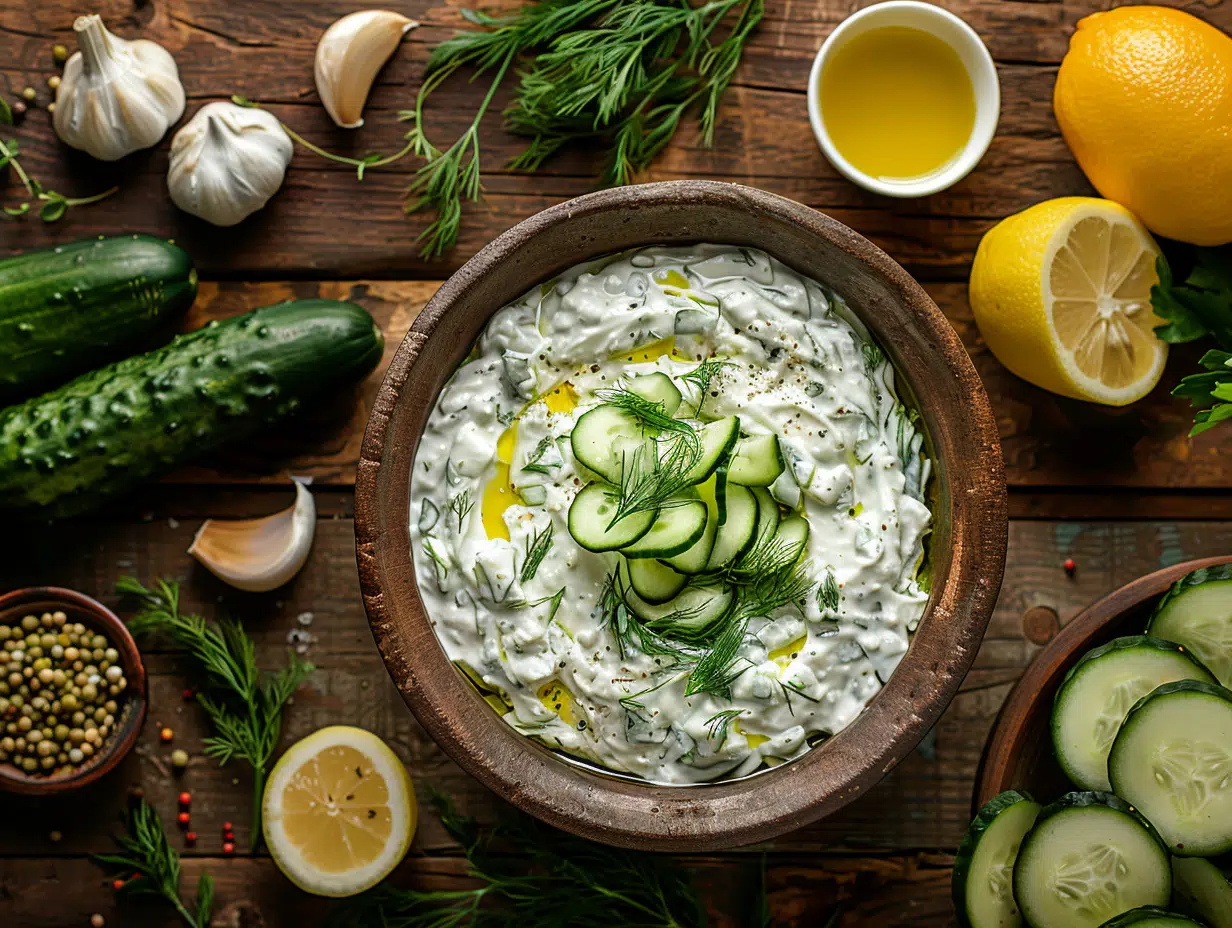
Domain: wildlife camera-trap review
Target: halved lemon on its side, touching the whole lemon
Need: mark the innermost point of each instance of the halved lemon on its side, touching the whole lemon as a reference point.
(1063, 298)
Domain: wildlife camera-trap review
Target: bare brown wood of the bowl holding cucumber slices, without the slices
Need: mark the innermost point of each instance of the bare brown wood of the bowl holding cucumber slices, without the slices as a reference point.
(1019, 751)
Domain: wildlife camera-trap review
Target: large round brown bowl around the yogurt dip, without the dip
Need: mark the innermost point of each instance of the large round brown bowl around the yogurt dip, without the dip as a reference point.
(968, 547)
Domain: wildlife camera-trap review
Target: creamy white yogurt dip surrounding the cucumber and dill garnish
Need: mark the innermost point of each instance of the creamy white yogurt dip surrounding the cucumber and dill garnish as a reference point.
(495, 475)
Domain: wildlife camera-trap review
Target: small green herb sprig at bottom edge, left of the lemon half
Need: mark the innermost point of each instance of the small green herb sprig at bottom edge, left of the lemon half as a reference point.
(146, 852)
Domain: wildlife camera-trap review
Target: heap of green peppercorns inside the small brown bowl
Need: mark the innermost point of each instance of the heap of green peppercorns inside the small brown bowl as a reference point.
(59, 688)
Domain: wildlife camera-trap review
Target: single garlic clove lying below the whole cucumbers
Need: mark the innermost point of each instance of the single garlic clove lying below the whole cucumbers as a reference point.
(259, 555)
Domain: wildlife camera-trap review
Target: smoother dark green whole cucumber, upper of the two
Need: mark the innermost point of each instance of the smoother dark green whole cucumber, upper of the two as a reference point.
(70, 309)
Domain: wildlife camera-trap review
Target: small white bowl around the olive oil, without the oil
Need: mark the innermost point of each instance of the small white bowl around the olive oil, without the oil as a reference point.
(975, 59)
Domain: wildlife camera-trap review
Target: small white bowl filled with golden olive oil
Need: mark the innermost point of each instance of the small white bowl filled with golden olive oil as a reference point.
(904, 98)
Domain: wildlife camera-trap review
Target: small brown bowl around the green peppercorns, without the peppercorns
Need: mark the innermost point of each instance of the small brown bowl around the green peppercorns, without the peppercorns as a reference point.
(93, 614)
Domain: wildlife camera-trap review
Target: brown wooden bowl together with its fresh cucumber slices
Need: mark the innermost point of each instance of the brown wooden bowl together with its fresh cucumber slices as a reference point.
(1104, 797)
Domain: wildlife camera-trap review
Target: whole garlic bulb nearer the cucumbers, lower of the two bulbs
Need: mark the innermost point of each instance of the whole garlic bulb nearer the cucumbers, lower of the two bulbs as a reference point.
(227, 162)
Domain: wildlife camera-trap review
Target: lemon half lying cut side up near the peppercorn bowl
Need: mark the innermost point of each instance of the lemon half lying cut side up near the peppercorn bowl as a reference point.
(339, 812)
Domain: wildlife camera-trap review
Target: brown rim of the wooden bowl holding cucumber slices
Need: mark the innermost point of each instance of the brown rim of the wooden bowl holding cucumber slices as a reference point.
(1039, 683)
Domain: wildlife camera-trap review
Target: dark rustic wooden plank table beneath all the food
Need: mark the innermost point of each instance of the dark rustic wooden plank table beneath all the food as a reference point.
(1121, 492)
